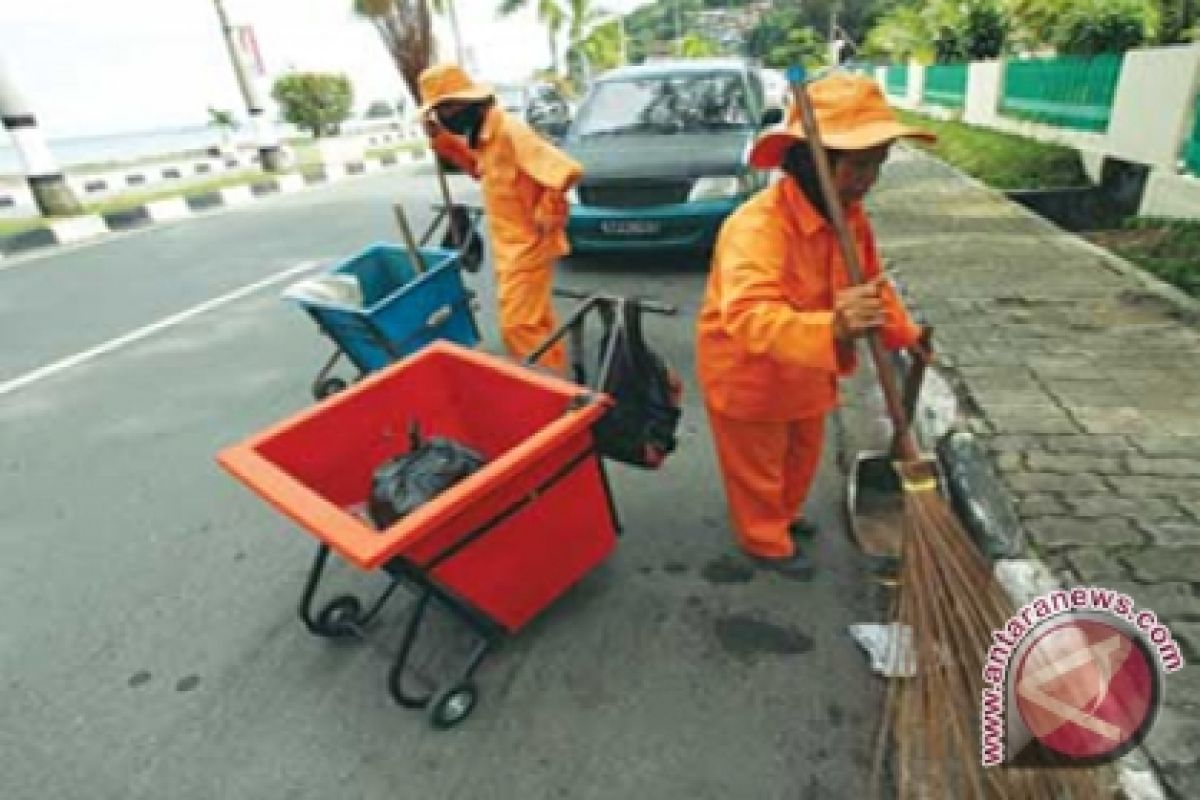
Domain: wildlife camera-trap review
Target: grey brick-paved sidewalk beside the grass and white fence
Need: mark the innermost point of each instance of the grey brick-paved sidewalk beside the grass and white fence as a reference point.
(1082, 376)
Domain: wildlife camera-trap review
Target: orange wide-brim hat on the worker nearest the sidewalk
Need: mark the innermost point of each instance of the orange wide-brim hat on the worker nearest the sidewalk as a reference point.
(853, 115)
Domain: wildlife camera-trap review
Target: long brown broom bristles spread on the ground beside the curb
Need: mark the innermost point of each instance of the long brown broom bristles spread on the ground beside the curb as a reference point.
(950, 600)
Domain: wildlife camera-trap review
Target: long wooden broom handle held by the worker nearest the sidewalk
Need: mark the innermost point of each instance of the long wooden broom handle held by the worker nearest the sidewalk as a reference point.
(905, 443)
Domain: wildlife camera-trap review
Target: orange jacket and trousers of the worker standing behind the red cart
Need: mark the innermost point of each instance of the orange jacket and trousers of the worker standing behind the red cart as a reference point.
(524, 181)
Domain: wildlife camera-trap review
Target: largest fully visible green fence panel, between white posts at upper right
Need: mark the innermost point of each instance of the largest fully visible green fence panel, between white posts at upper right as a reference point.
(1069, 92)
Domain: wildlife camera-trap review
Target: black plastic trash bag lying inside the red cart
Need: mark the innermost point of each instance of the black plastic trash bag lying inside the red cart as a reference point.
(431, 466)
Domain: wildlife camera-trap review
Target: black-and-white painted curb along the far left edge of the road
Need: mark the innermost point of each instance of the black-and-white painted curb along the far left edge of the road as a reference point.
(98, 226)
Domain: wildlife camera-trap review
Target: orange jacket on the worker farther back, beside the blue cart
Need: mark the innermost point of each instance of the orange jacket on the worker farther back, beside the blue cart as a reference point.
(524, 179)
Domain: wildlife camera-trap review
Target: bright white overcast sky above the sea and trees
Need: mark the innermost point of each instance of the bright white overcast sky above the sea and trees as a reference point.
(123, 65)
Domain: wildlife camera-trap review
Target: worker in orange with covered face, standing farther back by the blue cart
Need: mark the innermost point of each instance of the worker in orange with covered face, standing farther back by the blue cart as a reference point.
(525, 181)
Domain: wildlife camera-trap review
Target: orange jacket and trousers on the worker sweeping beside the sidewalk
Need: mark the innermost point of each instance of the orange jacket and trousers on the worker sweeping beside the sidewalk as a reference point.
(767, 358)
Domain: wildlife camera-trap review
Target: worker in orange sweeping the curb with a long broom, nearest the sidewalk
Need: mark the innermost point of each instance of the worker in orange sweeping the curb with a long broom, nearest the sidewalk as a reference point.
(781, 320)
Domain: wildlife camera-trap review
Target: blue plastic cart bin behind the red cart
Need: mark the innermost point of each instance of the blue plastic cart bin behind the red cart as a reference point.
(401, 311)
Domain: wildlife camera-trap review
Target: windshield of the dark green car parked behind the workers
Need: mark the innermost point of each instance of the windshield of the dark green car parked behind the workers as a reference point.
(667, 105)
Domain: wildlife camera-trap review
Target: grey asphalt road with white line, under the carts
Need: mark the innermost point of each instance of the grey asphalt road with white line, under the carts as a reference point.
(149, 646)
